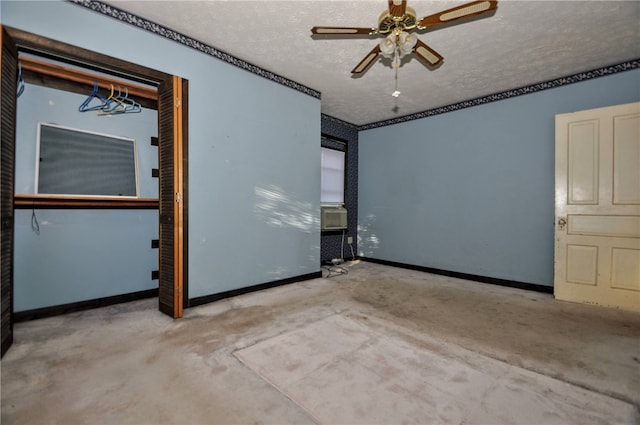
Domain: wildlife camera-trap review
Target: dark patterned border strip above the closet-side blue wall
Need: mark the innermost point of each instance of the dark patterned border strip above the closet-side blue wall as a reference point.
(165, 32)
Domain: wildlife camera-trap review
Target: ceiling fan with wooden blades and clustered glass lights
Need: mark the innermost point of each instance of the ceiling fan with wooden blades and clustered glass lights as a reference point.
(398, 22)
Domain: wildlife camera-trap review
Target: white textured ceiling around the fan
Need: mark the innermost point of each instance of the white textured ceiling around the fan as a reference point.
(522, 43)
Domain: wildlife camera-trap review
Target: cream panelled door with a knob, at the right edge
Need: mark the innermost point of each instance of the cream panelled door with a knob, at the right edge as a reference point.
(597, 228)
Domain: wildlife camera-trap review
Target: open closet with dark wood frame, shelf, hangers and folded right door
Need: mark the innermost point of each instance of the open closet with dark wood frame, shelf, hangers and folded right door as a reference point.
(82, 242)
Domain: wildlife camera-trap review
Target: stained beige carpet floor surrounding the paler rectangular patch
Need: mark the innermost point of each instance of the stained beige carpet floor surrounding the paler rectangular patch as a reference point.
(131, 364)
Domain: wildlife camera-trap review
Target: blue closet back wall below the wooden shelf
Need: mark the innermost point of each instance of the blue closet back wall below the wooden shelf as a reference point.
(82, 255)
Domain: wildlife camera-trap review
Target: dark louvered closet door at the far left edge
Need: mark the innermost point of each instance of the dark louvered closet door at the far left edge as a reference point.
(7, 167)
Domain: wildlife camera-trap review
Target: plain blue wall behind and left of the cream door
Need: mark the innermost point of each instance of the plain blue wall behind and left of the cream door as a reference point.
(472, 191)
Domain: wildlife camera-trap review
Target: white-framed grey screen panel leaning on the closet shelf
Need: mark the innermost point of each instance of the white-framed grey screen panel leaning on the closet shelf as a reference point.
(77, 162)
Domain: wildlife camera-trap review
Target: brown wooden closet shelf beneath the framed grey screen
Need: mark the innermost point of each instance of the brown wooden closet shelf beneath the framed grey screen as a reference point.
(28, 201)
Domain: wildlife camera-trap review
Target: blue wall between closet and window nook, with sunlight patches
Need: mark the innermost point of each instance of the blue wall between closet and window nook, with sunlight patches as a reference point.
(254, 151)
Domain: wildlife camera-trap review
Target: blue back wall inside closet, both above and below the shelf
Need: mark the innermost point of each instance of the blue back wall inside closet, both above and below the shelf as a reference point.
(79, 255)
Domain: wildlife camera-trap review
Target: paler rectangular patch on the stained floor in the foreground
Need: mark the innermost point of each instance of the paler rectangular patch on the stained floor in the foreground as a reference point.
(343, 369)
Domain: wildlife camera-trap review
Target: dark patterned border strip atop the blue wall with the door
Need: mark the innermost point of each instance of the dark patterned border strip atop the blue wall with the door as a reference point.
(558, 82)
